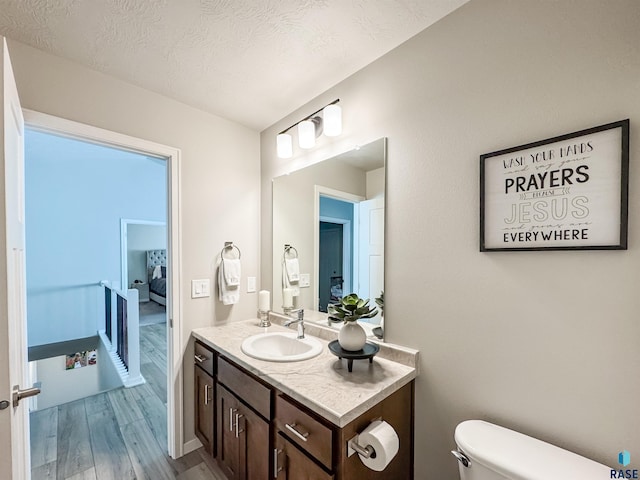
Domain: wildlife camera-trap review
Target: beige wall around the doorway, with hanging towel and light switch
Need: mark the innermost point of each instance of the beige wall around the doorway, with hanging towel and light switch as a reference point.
(219, 161)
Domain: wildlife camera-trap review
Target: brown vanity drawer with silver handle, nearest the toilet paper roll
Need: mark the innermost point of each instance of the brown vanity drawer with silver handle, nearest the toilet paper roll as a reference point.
(304, 430)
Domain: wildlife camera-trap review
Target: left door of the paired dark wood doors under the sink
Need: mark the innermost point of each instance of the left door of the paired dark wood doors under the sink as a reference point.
(228, 445)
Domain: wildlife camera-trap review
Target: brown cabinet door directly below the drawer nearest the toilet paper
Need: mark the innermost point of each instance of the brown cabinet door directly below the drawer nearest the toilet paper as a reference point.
(291, 464)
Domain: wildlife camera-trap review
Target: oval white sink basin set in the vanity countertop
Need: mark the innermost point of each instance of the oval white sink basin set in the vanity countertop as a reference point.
(281, 347)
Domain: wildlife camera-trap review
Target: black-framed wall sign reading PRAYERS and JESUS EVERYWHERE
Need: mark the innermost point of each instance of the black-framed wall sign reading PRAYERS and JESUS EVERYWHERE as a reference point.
(566, 192)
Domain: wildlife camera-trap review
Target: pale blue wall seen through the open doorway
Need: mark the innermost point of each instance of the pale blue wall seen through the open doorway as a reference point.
(76, 193)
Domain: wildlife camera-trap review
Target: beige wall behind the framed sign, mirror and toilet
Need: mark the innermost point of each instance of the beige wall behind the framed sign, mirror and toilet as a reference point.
(543, 342)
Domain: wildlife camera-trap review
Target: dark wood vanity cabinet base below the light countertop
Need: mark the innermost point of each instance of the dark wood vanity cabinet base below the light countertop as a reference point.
(261, 433)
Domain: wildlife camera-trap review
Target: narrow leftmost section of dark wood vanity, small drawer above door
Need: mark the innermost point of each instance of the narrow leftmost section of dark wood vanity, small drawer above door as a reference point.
(204, 394)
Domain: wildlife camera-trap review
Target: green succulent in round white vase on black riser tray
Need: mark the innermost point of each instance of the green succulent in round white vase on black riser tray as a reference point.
(352, 336)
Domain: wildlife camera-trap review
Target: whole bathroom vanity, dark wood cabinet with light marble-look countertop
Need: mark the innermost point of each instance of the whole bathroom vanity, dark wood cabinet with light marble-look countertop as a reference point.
(293, 420)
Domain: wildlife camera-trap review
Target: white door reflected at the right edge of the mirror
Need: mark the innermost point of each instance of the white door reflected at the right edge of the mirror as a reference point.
(371, 250)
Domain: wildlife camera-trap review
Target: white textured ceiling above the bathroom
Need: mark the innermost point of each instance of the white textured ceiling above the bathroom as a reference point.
(251, 61)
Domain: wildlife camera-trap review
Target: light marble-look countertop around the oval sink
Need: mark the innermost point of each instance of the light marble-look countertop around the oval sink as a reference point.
(322, 383)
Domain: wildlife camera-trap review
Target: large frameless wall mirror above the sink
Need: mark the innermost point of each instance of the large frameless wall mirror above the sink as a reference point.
(331, 214)
